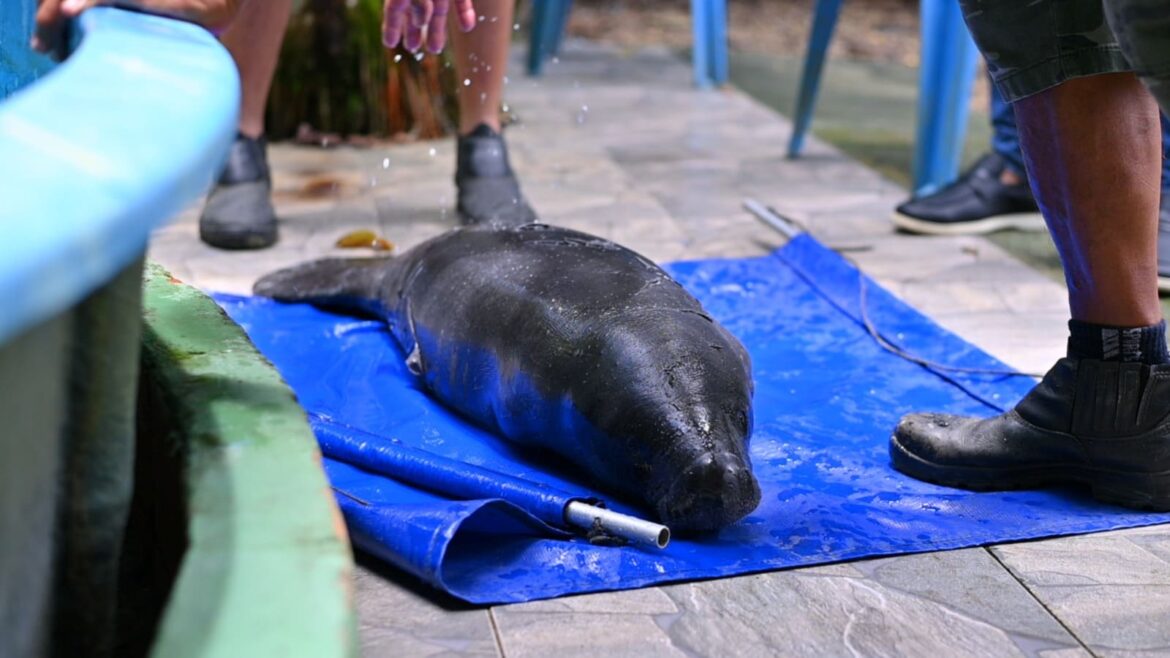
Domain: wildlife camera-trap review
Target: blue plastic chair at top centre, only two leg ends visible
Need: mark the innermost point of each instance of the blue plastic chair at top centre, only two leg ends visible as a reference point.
(710, 24)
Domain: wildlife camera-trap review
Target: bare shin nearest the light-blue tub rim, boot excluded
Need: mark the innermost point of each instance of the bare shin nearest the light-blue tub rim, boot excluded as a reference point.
(254, 40)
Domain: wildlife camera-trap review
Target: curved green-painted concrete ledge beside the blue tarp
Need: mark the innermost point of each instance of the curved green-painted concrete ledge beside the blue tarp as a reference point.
(267, 567)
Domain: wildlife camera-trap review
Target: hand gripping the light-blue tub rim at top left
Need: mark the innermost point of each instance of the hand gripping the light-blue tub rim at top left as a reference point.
(53, 16)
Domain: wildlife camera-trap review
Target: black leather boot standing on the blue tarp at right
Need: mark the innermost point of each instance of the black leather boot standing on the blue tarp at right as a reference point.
(1104, 424)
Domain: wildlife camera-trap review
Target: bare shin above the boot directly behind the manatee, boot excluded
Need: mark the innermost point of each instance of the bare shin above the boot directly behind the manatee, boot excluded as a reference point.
(481, 57)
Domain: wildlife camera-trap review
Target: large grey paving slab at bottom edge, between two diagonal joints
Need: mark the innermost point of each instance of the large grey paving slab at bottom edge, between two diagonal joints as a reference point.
(958, 604)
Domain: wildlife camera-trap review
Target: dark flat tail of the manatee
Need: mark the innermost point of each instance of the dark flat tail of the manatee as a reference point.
(348, 285)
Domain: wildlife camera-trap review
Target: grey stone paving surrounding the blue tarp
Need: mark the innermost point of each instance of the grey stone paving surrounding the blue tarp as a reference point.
(623, 147)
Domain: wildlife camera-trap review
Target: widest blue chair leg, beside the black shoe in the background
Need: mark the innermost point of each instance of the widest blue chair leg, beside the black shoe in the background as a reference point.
(949, 64)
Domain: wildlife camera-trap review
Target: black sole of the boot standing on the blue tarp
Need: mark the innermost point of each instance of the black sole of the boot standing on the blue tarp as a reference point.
(1138, 491)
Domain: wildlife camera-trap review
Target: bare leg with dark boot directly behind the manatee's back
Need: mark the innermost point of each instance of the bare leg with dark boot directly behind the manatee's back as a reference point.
(488, 190)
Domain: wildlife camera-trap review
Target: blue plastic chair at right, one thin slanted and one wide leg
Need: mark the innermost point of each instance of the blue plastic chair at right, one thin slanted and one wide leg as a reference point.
(947, 73)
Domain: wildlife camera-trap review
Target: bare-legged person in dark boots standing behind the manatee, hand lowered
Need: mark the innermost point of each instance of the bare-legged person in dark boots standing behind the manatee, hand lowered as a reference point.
(239, 215)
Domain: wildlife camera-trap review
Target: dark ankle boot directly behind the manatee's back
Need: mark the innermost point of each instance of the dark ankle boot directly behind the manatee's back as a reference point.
(488, 190)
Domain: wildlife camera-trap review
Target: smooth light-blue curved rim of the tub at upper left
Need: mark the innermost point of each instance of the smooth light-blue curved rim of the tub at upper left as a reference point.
(106, 148)
